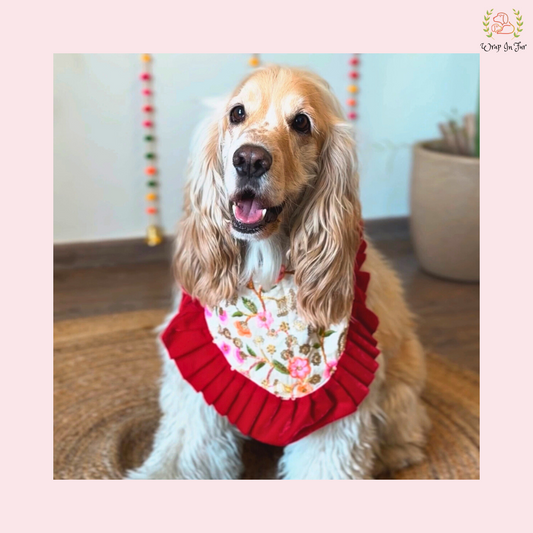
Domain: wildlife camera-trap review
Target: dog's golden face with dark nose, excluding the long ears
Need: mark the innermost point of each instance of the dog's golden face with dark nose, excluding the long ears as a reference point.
(272, 134)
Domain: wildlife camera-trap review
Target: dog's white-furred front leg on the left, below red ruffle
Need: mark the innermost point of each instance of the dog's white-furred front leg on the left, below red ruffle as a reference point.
(193, 441)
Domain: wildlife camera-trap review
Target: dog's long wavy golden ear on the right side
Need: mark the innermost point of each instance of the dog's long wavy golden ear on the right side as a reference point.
(325, 237)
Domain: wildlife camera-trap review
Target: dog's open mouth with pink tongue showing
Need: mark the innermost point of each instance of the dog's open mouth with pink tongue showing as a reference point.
(250, 214)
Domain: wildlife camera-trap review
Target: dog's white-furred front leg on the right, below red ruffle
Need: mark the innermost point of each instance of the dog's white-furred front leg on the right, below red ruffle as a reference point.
(341, 450)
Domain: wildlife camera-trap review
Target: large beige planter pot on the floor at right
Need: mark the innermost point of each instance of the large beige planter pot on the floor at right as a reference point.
(445, 212)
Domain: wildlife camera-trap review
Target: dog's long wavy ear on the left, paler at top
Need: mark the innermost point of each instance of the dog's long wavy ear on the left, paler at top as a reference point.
(206, 258)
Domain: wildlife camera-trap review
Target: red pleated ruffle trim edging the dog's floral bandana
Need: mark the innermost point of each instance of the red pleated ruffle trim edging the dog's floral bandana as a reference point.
(257, 412)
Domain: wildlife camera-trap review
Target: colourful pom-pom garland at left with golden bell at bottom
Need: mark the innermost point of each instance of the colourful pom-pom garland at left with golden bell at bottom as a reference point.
(154, 234)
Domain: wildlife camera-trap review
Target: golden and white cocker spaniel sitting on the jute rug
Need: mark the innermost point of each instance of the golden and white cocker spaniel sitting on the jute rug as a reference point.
(273, 185)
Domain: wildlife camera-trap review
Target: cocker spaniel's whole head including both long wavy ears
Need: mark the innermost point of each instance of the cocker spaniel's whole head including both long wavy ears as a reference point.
(279, 158)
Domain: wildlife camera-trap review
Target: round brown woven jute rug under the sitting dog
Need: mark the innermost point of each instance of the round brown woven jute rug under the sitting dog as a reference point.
(106, 372)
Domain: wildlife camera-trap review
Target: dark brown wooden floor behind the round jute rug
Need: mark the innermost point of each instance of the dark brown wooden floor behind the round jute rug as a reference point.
(448, 312)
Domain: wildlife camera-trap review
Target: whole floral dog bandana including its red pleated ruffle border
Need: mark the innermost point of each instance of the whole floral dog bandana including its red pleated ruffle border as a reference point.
(257, 362)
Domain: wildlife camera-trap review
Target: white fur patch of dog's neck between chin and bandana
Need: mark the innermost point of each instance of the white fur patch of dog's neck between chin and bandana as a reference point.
(263, 260)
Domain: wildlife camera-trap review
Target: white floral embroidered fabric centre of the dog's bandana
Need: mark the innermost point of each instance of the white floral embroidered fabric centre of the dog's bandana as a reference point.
(262, 336)
